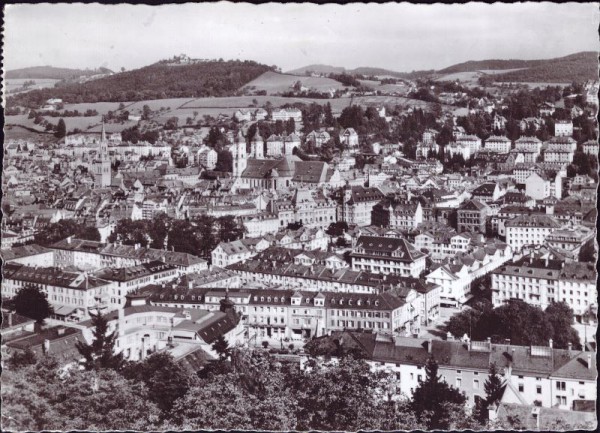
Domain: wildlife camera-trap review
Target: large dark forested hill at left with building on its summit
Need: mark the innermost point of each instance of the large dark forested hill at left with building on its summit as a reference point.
(157, 81)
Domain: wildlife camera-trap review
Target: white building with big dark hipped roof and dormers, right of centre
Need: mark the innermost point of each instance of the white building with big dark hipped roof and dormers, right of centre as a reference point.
(387, 255)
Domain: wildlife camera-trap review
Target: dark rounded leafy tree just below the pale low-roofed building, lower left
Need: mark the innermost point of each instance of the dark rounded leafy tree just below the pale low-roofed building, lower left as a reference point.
(164, 378)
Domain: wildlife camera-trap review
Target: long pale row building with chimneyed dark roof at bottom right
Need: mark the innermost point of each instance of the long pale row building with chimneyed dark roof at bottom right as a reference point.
(531, 375)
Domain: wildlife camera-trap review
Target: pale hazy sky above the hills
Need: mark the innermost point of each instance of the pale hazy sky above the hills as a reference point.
(401, 37)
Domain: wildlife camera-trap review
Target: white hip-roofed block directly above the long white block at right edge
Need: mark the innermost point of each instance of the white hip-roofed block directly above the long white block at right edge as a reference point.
(527, 230)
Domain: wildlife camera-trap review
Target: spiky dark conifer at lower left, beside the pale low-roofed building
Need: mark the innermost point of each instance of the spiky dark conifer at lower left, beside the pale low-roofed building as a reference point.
(100, 354)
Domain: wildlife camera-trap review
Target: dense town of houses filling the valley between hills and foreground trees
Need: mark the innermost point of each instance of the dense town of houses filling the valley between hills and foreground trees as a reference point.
(329, 248)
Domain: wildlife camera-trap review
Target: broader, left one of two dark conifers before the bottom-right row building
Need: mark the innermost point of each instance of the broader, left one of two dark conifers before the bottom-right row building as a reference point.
(430, 397)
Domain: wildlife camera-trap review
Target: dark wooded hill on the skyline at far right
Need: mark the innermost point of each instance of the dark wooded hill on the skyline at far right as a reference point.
(577, 67)
